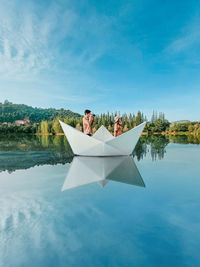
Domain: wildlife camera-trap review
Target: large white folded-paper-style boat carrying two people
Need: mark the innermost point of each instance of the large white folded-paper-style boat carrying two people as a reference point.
(102, 143)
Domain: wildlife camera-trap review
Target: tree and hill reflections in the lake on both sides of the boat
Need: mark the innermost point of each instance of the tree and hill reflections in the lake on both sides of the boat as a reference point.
(27, 151)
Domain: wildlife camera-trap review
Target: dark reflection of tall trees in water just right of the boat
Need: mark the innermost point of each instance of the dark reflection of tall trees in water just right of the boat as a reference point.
(156, 144)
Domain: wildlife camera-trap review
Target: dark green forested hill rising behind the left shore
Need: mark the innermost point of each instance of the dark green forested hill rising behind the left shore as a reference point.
(10, 112)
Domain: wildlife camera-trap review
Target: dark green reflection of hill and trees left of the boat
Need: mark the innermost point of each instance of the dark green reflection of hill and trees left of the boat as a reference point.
(26, 151)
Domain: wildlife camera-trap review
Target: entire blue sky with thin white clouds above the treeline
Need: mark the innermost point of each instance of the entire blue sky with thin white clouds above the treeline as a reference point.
(102, 55)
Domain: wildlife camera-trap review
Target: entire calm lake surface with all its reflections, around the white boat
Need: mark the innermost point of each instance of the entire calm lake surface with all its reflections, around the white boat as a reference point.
(144, 212)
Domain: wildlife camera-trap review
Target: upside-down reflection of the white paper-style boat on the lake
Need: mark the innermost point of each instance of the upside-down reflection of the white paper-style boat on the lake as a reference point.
(86, 170)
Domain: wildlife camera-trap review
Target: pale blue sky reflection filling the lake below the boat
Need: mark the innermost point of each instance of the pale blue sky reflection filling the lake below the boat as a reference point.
(118, 225)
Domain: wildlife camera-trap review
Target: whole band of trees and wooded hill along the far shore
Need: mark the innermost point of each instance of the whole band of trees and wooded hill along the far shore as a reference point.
(19, 118)
